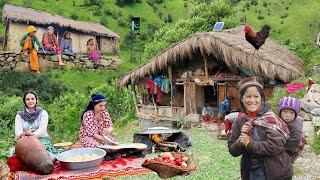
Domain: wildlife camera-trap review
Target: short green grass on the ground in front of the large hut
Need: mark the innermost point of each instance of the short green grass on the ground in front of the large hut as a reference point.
(211, 155)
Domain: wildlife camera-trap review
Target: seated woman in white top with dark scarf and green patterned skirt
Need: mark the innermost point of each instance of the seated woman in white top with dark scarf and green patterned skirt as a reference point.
(33, 121)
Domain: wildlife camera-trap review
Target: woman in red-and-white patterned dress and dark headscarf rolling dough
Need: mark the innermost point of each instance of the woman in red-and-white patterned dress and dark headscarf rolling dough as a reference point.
(96, 123)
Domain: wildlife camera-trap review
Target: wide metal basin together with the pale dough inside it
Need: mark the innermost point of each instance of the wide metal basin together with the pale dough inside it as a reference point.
(81, 158)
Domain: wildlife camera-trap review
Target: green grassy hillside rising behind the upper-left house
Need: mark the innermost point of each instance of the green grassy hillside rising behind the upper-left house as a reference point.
(118, 19)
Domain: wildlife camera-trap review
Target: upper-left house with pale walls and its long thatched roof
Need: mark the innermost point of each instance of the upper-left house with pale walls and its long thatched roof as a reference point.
(17, 18)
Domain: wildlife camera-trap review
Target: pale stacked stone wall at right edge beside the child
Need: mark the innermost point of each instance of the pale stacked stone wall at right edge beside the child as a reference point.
(310, 105)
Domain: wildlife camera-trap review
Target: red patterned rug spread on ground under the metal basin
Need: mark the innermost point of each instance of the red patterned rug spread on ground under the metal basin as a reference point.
(119, 167)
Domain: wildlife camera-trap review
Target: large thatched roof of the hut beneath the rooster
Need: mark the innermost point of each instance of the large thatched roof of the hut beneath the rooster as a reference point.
(230, 46)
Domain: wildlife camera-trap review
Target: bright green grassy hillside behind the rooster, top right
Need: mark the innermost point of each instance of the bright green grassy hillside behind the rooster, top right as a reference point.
(291, 20)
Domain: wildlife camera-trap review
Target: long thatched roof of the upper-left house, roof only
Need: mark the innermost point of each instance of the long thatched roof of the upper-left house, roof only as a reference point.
(30, 16)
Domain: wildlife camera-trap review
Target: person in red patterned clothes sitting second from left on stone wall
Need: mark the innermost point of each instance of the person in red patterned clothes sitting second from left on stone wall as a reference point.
(51, 45)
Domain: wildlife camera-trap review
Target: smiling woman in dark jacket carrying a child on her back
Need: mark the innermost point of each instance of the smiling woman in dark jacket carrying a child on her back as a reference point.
(259, 136)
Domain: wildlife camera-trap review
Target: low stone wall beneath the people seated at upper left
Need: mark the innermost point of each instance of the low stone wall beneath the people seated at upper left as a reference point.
(19, 62)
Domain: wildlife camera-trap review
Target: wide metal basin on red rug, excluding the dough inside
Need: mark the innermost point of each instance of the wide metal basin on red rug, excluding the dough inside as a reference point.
(80, 151)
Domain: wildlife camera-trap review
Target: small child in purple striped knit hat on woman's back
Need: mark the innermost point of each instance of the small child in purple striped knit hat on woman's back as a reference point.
(289, 108)
